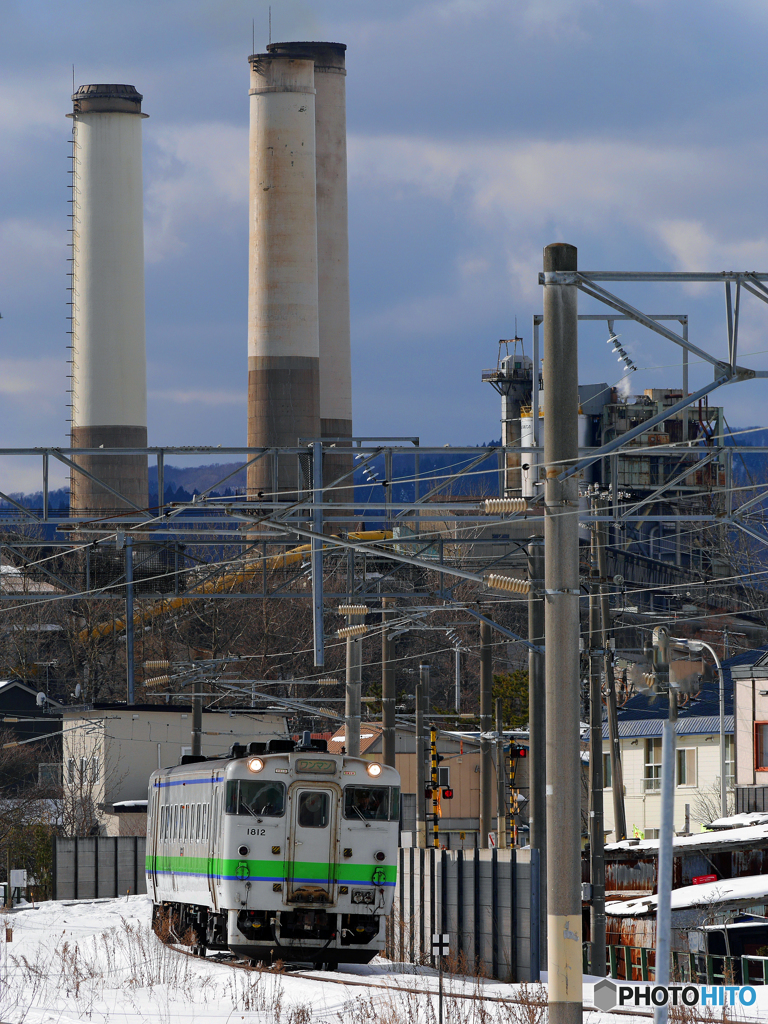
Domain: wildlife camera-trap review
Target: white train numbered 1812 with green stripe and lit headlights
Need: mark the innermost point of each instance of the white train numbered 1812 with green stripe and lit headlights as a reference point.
(278, 851)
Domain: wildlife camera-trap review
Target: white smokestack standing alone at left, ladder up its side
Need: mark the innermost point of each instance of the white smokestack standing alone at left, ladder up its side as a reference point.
(109, 338)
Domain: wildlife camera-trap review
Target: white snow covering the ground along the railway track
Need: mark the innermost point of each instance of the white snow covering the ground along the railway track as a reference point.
(100, 961)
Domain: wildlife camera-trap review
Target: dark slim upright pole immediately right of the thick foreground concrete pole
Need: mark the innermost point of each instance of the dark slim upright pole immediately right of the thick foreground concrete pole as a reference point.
(598, 834)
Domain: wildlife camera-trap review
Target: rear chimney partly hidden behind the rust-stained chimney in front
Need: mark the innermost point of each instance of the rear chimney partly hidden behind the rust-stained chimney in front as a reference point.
(333, 244)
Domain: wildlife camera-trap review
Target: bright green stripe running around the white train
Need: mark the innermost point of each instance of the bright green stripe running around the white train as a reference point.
(272, 870)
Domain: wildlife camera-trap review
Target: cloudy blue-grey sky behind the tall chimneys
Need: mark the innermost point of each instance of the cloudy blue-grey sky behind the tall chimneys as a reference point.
(479, 133)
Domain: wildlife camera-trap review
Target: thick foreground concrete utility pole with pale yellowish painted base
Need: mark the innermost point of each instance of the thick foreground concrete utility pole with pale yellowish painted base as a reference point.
(562, 629)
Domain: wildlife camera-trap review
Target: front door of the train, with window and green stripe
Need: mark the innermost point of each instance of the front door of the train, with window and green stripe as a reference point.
(312, 864)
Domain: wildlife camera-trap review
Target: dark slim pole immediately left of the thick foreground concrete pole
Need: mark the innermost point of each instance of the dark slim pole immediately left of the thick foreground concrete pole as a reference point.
(538, 730)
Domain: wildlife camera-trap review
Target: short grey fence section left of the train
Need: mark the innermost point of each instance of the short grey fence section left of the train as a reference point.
(104, 866)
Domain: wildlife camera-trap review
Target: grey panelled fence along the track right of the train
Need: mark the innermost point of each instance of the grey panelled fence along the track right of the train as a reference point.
(483, 899)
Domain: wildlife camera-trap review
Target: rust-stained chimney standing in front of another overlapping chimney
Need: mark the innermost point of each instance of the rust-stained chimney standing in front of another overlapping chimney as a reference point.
(283, 332)
